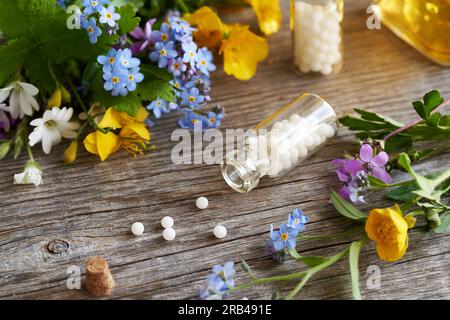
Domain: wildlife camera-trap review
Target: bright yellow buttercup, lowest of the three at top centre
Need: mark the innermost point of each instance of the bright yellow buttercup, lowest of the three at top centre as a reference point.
(242, 51)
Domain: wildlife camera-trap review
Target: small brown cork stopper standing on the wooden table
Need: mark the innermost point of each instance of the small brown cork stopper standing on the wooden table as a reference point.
(99, 281)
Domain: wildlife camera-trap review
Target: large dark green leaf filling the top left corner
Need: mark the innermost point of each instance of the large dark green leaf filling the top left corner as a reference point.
(37, 37)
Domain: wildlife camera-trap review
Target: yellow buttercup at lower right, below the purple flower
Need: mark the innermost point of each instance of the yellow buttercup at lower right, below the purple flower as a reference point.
(389, 229)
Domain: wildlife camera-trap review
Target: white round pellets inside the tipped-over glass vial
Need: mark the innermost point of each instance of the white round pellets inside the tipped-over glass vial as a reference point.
(287, 143)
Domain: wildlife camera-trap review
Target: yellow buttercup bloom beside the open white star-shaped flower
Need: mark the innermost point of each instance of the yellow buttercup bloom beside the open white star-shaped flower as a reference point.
(133, 136)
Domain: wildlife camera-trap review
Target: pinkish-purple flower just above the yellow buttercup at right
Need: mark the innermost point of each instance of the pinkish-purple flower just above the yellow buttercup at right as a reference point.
(375, 165)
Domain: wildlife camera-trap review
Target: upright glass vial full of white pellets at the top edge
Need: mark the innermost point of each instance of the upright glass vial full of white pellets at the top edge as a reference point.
(317, 35)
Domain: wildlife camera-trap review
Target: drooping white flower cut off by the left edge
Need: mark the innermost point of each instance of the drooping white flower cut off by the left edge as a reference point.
(21, 99)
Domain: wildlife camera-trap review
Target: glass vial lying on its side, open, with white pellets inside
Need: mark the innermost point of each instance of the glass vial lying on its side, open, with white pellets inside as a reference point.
(280, 142)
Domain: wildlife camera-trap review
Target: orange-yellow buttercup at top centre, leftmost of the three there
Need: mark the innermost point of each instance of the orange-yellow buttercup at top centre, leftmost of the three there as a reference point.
(209, 27)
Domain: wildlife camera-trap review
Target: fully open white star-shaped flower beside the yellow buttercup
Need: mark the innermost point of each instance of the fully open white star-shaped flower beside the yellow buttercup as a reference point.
(53, 126)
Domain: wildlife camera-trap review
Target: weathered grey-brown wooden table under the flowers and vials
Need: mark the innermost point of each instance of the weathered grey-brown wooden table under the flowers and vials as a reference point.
(86, 209)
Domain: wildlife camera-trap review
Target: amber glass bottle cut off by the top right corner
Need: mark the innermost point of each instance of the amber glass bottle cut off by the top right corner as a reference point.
(424, 24)
